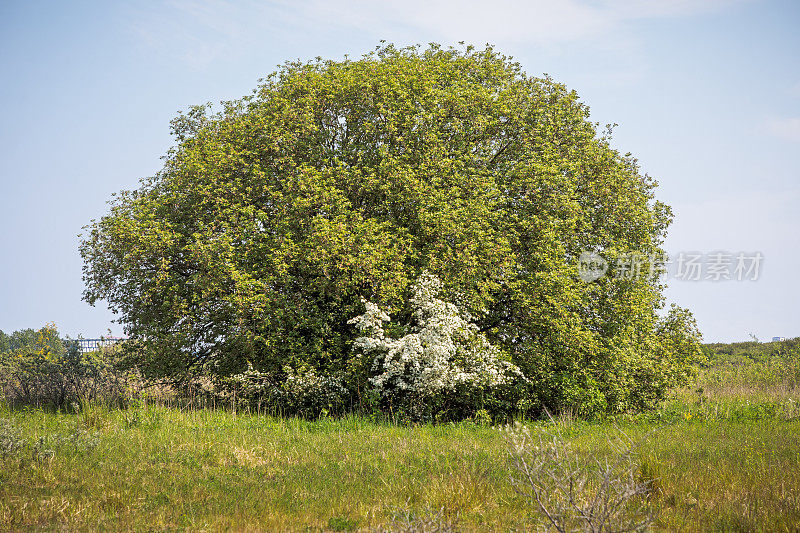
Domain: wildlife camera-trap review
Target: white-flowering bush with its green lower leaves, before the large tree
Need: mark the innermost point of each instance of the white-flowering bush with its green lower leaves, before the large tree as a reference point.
(443, 364)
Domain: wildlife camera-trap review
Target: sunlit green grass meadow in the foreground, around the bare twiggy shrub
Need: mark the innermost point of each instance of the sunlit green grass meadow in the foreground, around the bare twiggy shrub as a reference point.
(724, 455)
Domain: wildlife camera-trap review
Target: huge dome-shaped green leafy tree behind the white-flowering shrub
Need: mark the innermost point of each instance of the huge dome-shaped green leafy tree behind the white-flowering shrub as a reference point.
(337, 180)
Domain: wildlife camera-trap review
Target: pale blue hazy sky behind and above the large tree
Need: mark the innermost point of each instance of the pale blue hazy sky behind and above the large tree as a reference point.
(705, 94)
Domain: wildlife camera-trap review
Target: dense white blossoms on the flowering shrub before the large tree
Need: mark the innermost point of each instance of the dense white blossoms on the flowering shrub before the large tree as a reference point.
(445, 349)
